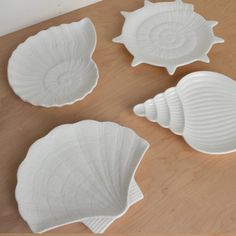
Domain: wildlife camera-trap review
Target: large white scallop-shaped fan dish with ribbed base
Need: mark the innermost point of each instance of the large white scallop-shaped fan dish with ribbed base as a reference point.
(82, 172)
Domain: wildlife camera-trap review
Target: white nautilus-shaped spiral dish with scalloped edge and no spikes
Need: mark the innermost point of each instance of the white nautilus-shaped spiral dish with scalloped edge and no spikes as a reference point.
(55, 67)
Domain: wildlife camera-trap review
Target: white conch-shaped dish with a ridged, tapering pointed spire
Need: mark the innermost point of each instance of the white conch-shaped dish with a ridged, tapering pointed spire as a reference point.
(201, 108)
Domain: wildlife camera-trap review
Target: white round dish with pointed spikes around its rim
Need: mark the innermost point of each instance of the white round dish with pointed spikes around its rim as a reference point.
(167, 34)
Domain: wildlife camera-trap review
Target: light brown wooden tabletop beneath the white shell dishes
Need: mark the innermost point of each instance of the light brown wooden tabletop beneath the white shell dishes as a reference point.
(185, 191)
